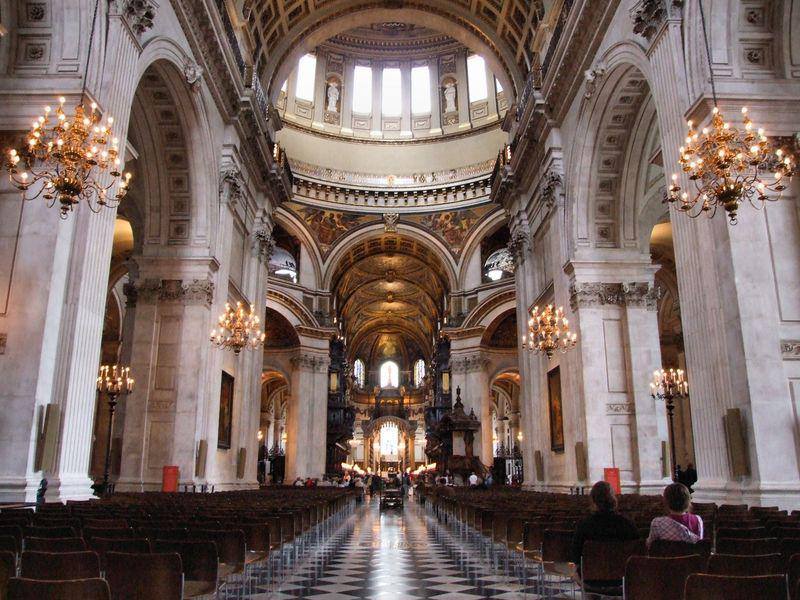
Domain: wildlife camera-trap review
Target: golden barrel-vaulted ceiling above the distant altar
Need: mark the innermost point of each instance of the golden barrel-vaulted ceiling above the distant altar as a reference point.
(385, 291)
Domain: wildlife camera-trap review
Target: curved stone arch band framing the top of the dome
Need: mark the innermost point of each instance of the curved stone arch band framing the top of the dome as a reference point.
(327, 22)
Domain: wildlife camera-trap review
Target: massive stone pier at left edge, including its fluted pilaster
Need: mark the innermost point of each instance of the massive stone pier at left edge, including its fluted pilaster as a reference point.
(56, 337)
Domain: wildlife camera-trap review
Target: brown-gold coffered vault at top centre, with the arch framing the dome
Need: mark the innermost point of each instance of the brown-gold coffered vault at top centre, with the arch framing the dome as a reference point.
(282, 30)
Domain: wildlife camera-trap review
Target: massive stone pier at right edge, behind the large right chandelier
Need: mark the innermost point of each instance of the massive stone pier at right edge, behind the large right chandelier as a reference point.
(738, 302)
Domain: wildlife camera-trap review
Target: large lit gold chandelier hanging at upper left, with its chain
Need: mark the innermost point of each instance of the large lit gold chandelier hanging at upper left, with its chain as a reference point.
(70, 158)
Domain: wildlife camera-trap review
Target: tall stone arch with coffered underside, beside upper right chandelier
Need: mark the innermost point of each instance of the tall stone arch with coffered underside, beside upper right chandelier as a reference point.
(605, 168)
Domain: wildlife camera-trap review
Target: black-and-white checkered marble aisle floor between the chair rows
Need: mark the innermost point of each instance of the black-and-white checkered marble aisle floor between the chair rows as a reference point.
(399, 554)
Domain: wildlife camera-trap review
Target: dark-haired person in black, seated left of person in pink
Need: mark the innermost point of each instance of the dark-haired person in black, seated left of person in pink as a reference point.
(604, 525)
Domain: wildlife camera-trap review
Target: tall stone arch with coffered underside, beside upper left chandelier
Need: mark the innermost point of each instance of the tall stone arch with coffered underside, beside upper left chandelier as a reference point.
(174, 189)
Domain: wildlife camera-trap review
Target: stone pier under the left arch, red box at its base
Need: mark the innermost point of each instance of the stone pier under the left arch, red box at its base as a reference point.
(170, 359)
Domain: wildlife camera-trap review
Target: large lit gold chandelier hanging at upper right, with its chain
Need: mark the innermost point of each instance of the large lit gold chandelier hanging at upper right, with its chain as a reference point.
(728, 165)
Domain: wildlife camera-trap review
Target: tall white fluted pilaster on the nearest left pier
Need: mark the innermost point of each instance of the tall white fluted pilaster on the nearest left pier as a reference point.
(82, 319)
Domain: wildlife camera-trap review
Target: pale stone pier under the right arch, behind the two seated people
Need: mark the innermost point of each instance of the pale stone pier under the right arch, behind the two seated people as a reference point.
(618, 349)
